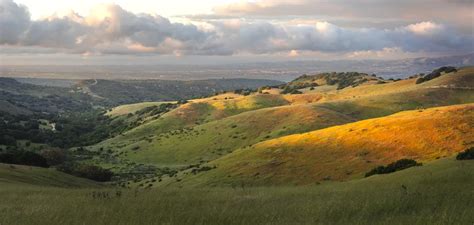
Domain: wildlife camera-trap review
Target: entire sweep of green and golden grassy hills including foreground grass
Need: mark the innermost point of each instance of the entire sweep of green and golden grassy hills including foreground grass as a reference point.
(270, 158)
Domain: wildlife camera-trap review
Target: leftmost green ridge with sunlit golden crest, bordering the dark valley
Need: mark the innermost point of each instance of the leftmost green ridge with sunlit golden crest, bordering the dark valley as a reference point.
(200, 111)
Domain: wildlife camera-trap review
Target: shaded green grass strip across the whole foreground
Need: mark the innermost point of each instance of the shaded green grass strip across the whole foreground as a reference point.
(437, 193)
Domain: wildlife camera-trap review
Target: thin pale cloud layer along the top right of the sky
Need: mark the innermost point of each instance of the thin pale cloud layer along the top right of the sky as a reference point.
(373, 13)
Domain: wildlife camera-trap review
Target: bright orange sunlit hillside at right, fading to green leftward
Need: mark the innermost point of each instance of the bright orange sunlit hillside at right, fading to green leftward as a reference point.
(347, 151)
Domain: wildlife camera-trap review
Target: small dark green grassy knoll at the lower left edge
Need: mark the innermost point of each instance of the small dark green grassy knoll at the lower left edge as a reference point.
(16, 175)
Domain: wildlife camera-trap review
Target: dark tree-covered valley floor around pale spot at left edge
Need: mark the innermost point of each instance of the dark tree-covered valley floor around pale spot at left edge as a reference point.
(61, 130)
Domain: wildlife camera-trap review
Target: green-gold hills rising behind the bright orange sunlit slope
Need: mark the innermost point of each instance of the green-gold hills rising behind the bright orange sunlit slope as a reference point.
(215, 132)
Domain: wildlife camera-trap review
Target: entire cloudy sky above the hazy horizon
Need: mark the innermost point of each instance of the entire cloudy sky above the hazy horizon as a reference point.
(196, 31)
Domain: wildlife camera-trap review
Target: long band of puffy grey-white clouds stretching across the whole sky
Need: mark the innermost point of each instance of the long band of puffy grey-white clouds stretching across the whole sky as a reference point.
(110, 29)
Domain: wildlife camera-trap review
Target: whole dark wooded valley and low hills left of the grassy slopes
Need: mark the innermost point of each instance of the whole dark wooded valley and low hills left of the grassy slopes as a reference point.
(74, 116)
